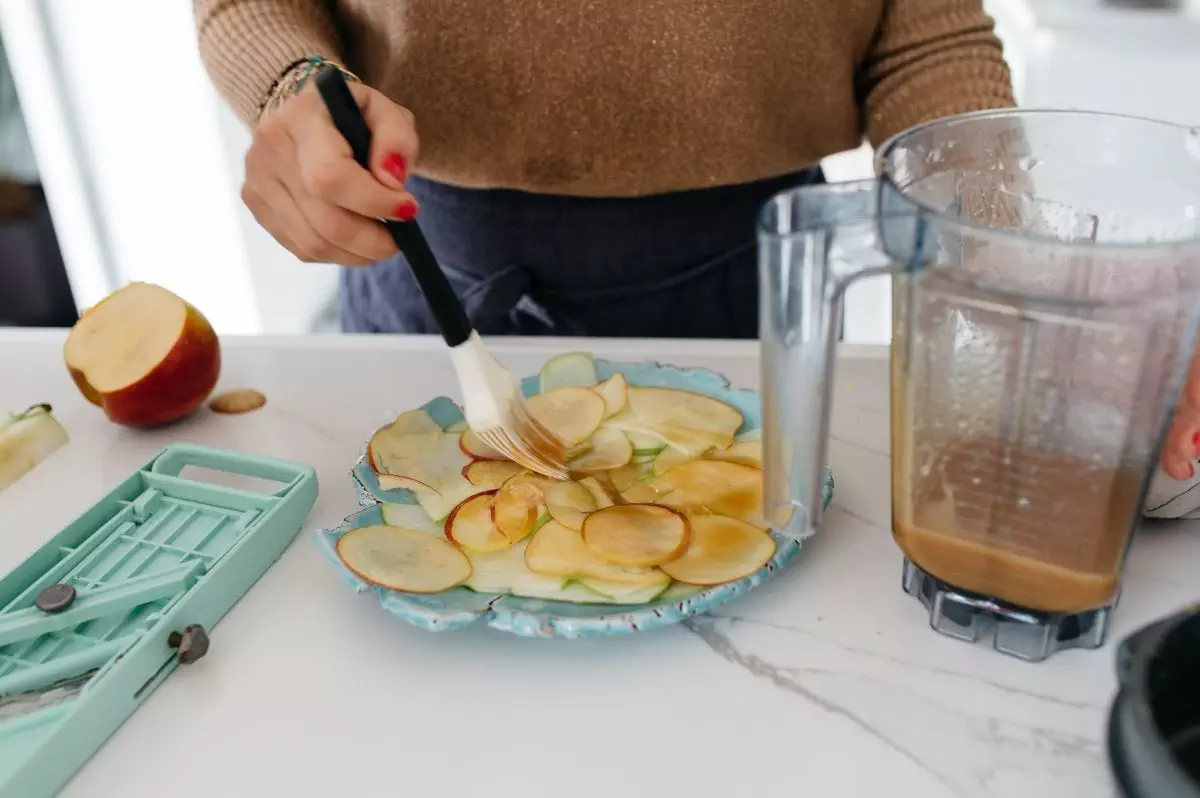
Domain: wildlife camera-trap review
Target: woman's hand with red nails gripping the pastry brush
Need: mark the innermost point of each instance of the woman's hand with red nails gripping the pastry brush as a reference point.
(305, 189)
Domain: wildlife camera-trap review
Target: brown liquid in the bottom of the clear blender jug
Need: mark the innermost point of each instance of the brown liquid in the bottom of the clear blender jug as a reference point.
(1042, 532)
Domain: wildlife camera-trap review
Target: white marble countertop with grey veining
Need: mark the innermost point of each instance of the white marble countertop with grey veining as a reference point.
(827, 681)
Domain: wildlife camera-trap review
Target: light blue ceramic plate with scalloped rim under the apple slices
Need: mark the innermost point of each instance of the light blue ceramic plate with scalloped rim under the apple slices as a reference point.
(542, 619)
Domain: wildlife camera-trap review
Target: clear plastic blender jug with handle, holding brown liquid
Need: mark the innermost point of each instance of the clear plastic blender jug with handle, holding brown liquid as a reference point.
(1046, 281)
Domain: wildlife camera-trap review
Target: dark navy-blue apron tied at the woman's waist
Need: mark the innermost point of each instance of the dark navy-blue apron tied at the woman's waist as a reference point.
(676, 266)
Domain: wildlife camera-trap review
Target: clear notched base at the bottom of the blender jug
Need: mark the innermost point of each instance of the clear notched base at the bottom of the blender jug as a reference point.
(1025, 634)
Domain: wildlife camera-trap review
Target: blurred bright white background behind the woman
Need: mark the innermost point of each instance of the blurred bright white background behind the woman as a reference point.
(142, 163)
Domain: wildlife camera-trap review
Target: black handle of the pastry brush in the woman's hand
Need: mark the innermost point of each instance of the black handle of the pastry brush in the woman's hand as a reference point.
(440, 296)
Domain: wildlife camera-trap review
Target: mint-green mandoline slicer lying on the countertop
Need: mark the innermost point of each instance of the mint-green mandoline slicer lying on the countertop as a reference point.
(99, 616)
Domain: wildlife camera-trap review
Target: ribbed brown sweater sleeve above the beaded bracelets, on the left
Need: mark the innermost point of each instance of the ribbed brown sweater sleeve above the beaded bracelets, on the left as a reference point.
(247, 45)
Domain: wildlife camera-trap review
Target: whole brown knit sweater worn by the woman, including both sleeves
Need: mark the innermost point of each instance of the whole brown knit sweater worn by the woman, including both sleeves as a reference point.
(625, 98)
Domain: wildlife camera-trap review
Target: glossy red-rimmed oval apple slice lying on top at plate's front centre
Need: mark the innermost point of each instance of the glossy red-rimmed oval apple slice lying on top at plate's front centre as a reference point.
(638, 536)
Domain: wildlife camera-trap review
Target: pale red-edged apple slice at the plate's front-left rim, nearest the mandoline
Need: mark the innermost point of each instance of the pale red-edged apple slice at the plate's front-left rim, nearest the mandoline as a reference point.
(403, 560)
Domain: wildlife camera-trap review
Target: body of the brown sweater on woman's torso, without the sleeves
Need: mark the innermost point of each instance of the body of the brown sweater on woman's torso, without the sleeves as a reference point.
(616, 99)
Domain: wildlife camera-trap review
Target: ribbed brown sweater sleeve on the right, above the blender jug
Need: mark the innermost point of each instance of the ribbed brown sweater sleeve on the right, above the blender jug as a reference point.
(932, 59)
